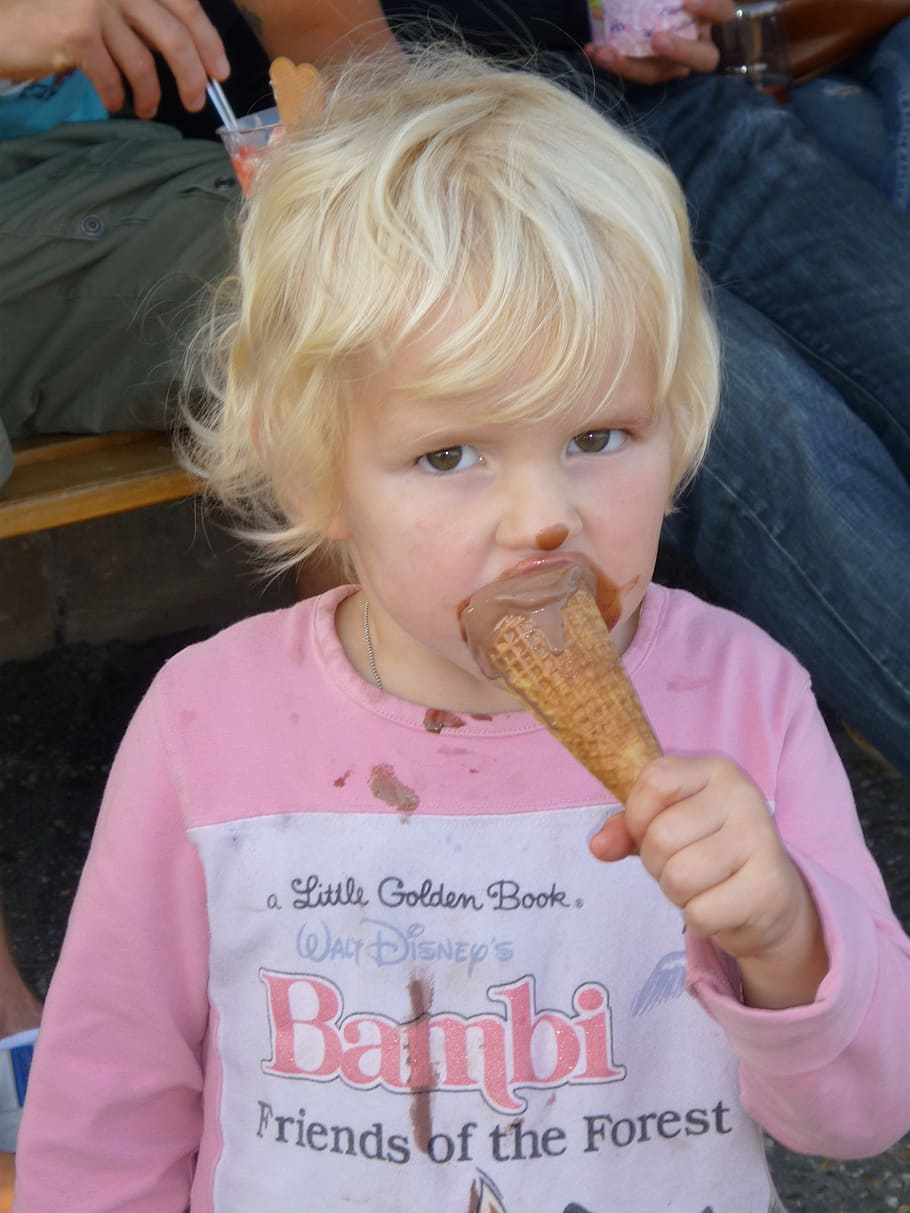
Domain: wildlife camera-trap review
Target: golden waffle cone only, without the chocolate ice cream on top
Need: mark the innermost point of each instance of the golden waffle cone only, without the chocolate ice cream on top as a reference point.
(581, 693)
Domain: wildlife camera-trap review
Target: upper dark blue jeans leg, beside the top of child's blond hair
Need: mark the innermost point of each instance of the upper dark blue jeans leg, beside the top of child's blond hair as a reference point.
(788, 229)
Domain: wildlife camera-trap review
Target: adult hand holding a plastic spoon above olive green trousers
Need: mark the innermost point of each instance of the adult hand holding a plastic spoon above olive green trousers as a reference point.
(113, 42)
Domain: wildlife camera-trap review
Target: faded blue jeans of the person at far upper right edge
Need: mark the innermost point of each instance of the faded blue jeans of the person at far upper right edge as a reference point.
(862, 113)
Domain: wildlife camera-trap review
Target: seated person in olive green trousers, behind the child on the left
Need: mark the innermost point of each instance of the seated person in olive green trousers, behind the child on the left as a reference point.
(110, 227)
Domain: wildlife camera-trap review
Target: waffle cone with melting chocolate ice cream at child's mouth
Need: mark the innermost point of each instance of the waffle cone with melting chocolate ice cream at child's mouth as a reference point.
(549, 643)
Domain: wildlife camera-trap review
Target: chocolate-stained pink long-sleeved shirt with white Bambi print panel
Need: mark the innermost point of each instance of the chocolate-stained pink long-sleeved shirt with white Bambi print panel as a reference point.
(335, 950)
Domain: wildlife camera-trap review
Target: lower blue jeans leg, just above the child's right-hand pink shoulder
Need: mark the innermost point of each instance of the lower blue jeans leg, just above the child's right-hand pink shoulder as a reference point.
(800, 521)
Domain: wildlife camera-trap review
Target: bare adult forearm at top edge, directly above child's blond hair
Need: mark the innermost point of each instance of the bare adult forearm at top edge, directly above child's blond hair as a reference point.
(309, 32)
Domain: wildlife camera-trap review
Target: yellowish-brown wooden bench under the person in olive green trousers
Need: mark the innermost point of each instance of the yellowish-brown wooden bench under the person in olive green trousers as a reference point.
(65, 480)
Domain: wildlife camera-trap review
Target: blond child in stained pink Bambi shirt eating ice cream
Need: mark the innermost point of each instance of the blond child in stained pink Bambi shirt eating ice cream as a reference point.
(346, 937)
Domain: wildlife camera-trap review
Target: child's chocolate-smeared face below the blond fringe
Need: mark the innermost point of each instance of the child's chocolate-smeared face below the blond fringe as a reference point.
(437, 504)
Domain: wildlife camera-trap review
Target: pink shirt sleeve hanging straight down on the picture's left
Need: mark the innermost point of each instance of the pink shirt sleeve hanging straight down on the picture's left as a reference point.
(113, 1112)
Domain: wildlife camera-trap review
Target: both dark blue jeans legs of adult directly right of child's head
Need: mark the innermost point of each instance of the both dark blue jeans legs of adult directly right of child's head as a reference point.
(801, 517)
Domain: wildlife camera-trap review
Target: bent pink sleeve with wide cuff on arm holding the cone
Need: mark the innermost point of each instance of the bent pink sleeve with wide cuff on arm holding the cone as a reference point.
(832, 1078)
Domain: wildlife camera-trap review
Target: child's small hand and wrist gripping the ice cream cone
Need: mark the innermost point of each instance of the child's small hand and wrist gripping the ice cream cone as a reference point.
(704, 833)
